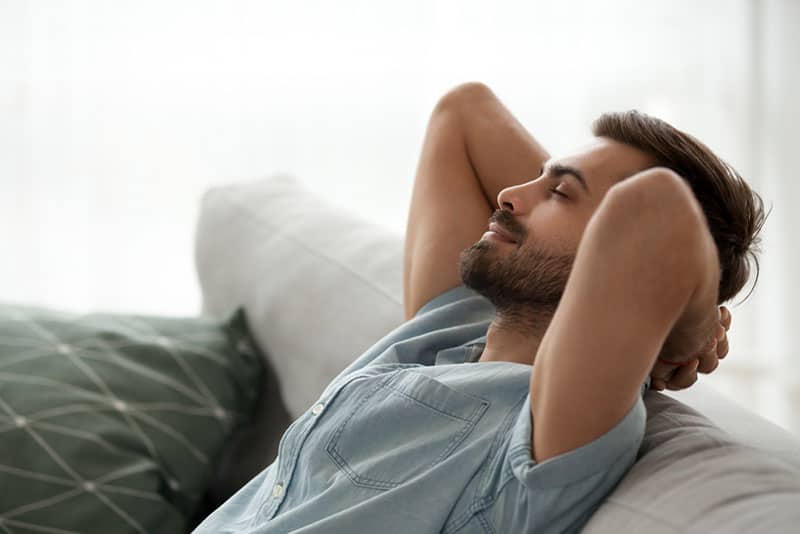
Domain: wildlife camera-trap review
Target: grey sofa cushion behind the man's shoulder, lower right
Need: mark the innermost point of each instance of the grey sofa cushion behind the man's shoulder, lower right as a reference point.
(692, 476)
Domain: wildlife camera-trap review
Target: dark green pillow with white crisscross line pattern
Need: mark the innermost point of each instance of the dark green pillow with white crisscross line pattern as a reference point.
(114, 423)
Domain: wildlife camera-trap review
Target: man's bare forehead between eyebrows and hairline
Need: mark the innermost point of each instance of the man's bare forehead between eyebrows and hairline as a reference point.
(604, 162)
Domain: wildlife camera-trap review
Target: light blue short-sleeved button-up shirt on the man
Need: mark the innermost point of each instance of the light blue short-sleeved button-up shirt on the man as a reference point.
(416, 436)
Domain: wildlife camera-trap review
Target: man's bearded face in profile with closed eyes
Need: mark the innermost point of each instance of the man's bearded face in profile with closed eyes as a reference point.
(545, 218)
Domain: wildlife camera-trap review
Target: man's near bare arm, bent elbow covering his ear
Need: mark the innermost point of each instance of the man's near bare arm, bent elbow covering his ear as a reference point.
(646, 266)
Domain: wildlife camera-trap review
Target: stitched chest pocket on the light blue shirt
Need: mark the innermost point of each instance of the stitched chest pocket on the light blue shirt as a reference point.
(402, 427)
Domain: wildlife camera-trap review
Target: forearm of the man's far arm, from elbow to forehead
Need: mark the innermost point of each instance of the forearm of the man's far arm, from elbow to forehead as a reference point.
(501, 151)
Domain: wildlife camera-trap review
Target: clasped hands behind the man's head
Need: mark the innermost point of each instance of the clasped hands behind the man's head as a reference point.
(681, 375)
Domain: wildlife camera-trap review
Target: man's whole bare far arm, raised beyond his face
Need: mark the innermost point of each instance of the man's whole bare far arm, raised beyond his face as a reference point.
(473, 149)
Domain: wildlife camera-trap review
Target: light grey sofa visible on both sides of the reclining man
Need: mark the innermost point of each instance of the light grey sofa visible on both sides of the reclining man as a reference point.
(320, 286)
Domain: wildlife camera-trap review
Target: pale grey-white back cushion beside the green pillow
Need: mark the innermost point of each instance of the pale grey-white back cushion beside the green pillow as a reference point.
(318, 285)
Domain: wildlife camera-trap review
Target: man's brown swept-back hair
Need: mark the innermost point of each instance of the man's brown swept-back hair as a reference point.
(735, 213)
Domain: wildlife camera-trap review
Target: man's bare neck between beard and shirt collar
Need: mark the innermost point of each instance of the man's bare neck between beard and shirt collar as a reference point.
(515, 336)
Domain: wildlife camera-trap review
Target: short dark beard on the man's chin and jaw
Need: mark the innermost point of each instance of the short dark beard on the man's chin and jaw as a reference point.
(528, 282)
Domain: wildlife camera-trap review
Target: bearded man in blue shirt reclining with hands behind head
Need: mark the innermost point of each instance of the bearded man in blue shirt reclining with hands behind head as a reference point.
(513, 402)
